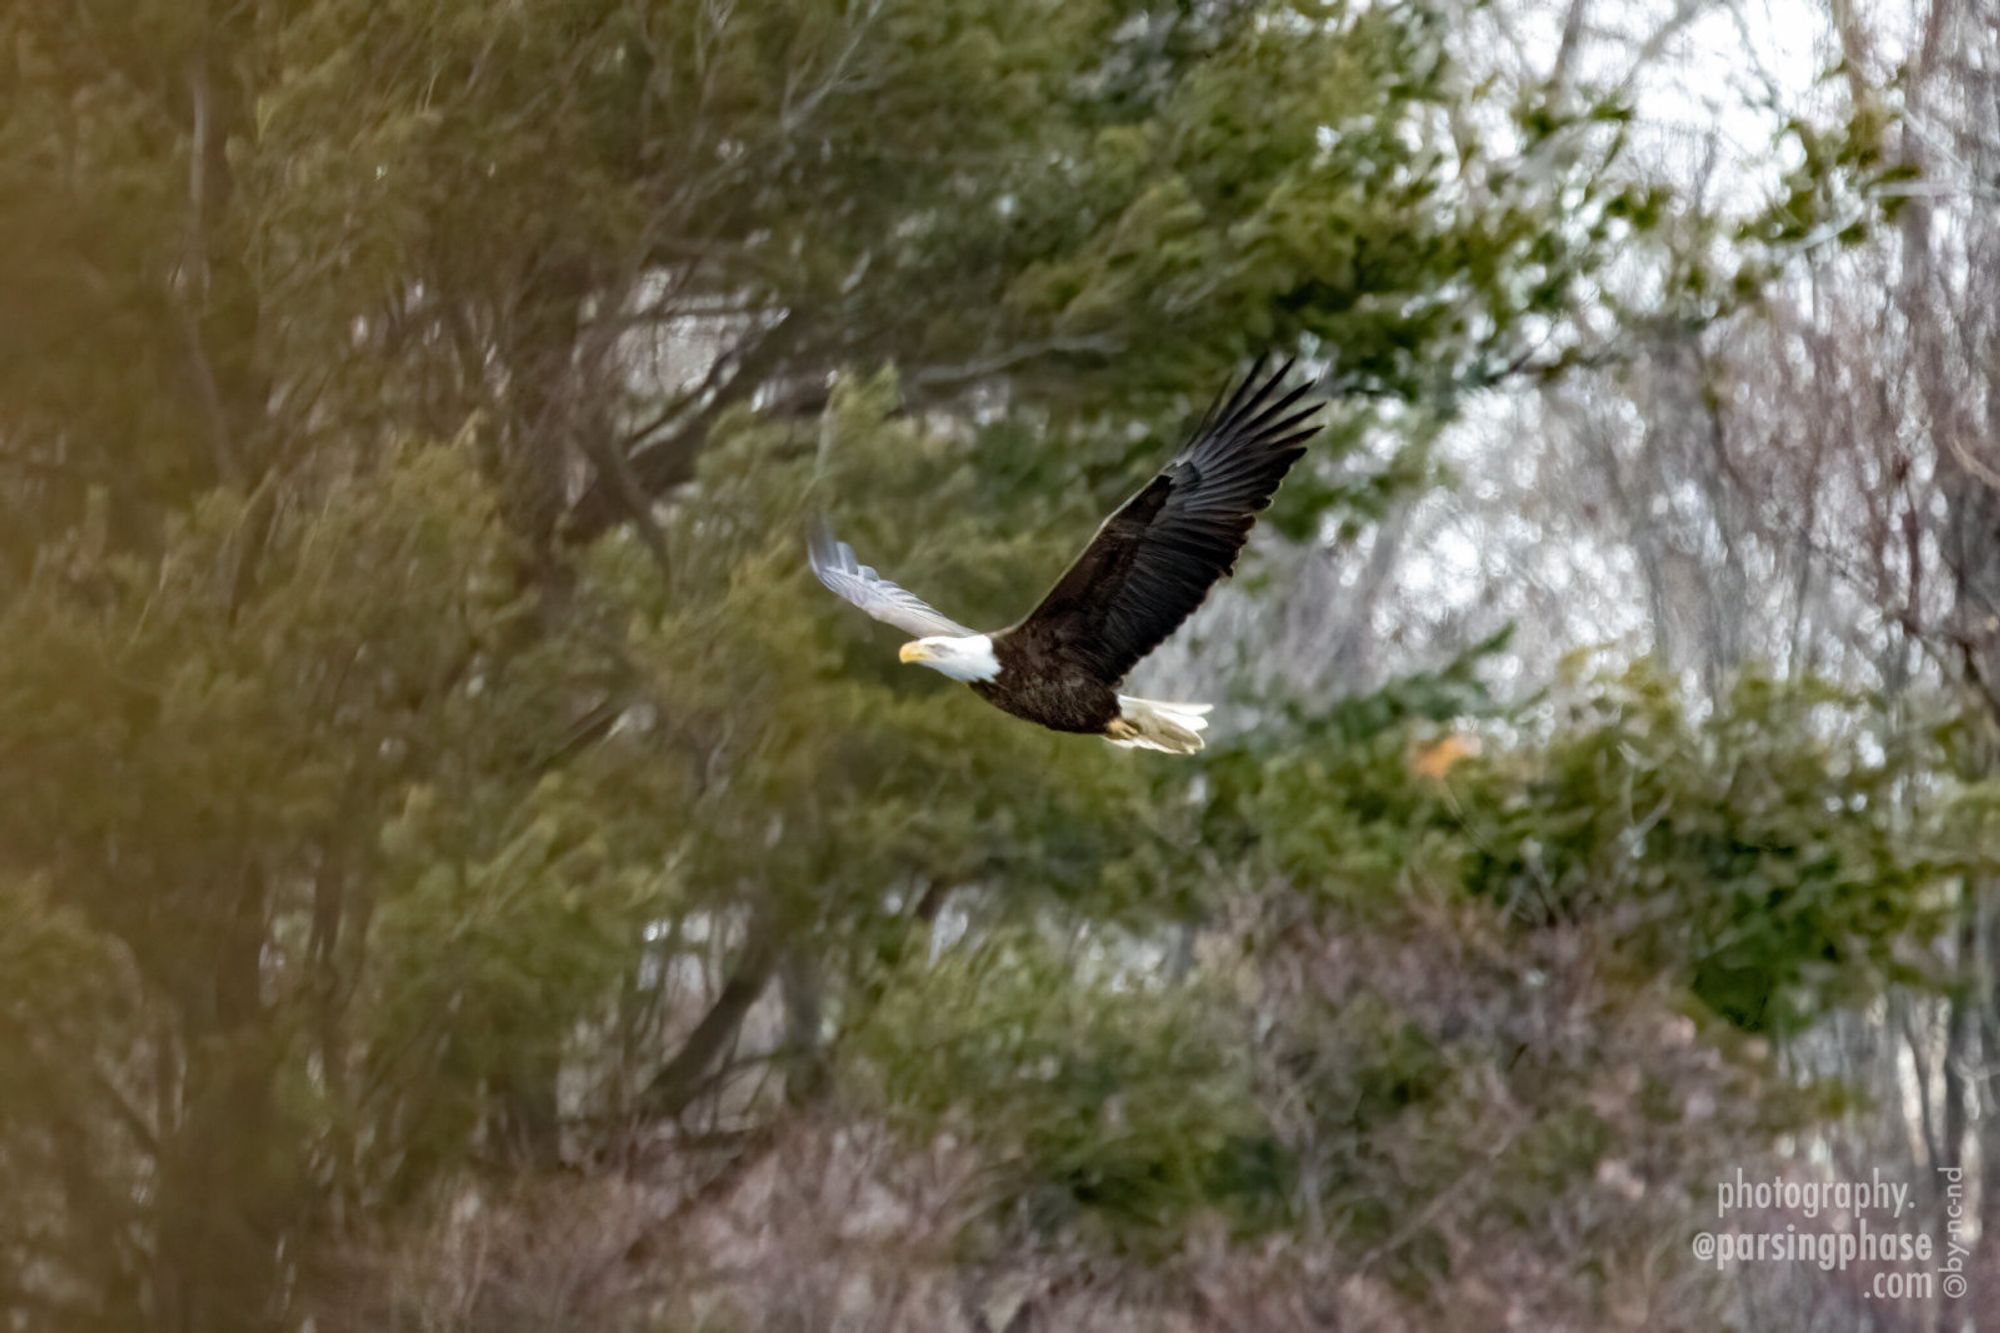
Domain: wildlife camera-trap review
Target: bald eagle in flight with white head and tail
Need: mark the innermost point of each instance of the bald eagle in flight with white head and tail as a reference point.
(1147, 569)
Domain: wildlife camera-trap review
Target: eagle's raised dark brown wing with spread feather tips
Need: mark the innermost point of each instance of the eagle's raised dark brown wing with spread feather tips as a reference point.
(1155, 559)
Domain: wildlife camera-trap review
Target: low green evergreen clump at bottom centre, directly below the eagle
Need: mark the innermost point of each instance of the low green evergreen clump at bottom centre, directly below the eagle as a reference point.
(1117, 1106)
